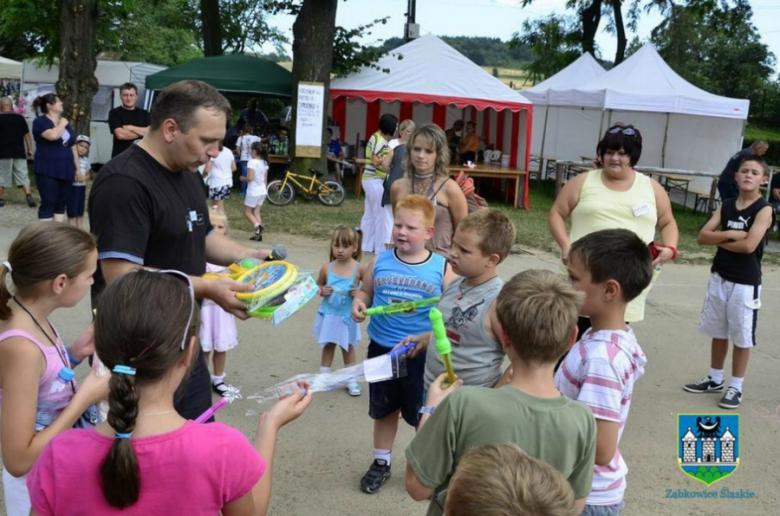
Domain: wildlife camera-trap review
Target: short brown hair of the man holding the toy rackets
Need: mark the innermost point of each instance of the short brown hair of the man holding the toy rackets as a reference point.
(181, 100)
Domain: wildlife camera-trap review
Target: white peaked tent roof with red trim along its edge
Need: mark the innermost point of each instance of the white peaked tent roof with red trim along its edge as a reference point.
(430, 71)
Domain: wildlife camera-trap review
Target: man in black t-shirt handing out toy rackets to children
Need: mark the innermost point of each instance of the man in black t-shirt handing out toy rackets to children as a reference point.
(148, 209)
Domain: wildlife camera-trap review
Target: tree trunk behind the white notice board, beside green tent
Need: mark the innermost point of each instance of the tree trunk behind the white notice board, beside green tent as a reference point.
(313, 33)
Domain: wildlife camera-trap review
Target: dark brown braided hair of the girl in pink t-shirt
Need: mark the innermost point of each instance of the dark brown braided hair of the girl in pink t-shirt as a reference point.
(140, 323)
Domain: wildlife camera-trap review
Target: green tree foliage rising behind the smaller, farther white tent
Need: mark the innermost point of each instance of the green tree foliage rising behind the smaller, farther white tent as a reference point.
(555, 42)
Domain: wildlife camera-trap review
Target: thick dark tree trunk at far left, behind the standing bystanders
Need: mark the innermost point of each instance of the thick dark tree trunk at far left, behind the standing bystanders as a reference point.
(77, 84)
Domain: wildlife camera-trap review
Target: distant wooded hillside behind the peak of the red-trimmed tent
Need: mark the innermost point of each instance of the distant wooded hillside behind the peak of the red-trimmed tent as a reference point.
(483, 51)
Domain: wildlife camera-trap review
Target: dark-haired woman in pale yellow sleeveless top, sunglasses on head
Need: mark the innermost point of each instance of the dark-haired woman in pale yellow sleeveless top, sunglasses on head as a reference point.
(616, 196)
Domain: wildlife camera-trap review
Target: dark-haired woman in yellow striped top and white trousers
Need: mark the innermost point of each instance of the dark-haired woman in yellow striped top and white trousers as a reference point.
(379, 155)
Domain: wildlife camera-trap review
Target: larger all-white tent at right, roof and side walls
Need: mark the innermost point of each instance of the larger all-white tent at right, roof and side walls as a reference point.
(683, 127)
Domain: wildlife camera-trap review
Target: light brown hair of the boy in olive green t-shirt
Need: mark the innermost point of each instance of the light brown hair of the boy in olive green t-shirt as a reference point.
(538, 310)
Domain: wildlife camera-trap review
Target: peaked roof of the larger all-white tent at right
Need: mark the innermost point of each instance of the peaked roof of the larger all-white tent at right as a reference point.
(644, 82)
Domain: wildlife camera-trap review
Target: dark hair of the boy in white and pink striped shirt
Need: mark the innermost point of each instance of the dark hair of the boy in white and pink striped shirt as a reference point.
(616, 254)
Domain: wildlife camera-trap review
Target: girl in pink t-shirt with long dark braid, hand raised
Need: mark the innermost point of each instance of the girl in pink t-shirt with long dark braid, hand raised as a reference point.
(147, 459)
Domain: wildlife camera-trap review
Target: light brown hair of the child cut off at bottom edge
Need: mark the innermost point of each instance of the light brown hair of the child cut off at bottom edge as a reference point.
(502, 480)
